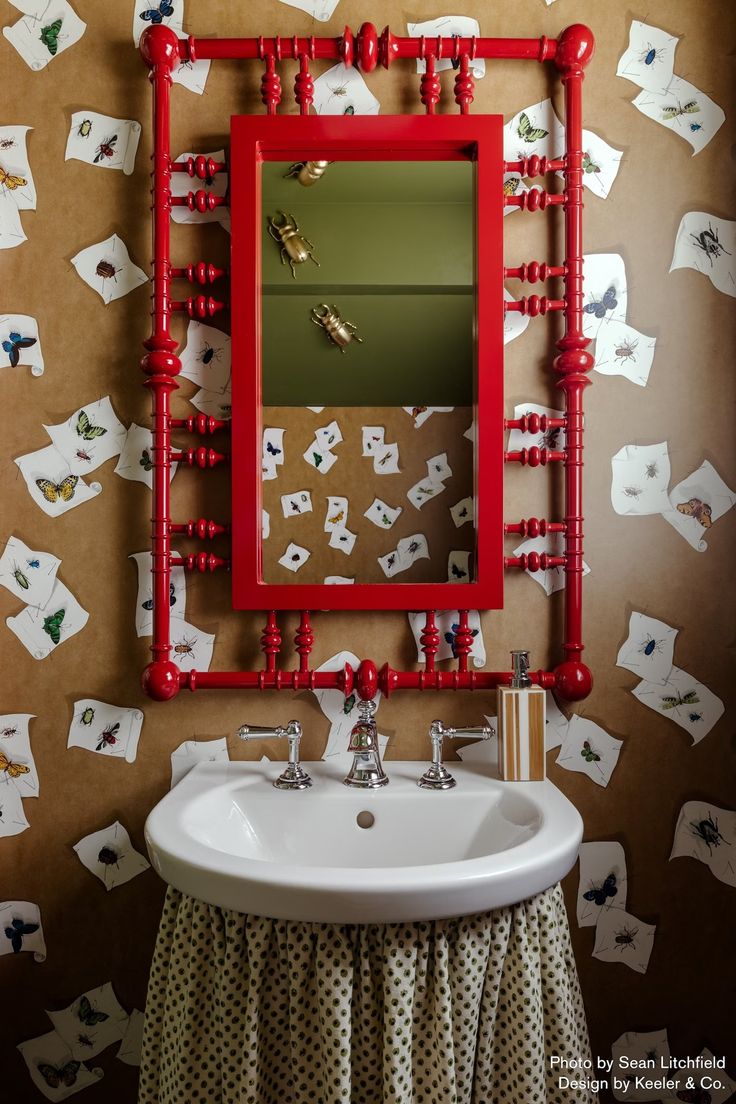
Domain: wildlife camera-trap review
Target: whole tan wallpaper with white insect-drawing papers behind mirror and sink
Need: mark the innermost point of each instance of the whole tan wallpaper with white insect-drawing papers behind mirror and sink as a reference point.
(648, 759)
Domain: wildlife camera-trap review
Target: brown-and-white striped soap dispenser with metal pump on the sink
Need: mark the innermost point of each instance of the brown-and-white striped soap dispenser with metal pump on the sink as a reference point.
(521, 726)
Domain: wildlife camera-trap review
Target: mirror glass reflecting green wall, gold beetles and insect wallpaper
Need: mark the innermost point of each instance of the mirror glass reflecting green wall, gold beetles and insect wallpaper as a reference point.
(369, 380)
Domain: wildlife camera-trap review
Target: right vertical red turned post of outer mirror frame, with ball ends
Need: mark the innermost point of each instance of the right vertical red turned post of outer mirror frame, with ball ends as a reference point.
(575, 50)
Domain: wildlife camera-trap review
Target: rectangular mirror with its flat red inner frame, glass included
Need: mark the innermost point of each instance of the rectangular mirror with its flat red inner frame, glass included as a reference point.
(401, 237)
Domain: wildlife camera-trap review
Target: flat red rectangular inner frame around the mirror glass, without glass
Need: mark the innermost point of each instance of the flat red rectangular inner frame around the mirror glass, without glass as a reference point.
(257, 140)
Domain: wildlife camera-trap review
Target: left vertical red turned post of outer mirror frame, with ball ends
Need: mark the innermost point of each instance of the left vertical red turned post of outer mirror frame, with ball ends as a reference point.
(161, 51)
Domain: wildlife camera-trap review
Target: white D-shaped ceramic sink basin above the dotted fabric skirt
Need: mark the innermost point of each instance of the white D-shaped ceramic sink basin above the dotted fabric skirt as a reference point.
(227, 836)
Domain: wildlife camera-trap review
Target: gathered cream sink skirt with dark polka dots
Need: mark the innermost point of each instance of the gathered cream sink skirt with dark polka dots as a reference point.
(248, 1011)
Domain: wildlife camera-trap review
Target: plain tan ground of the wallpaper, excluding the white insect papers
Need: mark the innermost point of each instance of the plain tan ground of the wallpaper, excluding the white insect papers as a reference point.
(637, 564)
